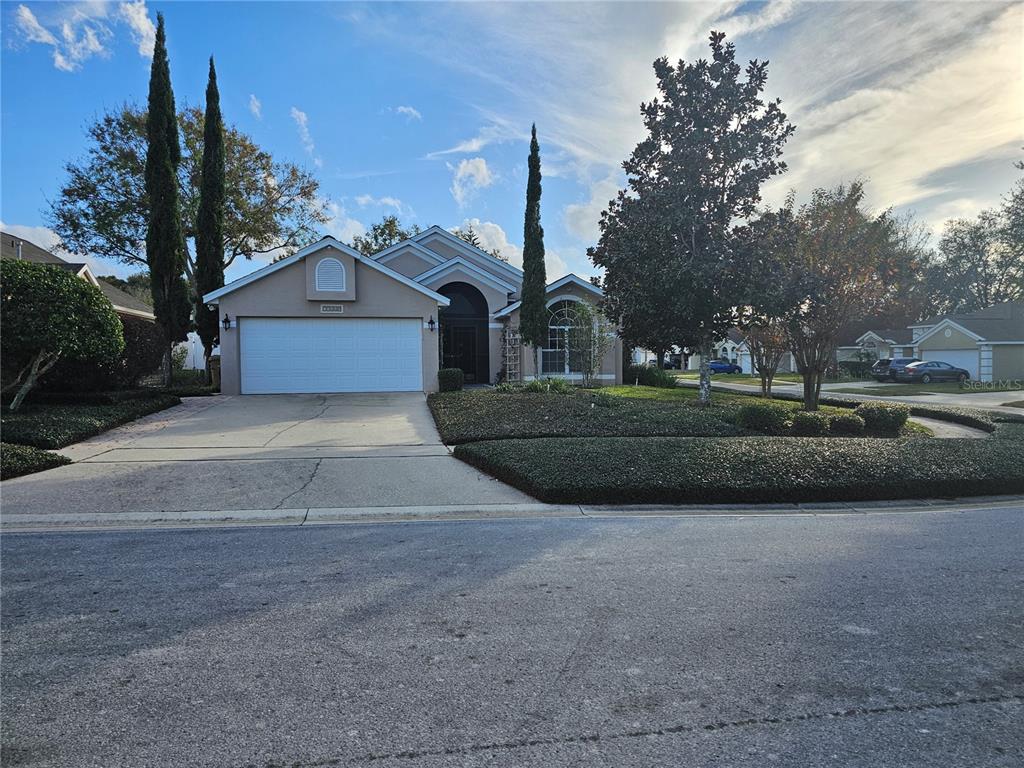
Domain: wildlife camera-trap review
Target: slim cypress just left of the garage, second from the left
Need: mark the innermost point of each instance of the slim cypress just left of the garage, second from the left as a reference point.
(210, 221)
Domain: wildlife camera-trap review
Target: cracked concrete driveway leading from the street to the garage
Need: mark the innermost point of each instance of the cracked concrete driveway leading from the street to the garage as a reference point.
(264, 453)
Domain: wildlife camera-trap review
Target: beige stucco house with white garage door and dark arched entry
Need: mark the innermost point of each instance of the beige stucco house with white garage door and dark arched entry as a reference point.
(329, 319)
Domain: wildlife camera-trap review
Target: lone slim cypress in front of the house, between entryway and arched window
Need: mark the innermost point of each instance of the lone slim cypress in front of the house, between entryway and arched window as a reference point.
(533, 314)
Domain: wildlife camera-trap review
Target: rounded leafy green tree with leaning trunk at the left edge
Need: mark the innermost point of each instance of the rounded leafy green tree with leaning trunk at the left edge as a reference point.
(50, 315)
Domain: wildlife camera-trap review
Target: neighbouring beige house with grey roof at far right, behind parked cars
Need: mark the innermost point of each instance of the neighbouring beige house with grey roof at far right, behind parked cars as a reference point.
(989, 344)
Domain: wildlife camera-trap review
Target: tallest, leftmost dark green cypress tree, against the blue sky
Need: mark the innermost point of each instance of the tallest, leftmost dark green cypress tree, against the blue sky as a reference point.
(164, 236)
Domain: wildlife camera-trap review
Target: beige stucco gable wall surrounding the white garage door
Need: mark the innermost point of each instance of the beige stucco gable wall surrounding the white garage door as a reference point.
(283, 294)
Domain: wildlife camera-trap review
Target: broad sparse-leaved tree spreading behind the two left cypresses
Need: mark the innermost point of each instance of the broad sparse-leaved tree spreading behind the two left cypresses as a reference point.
(102, 209)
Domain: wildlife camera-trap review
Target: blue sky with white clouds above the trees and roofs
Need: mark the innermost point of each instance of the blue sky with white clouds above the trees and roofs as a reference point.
(424, 109)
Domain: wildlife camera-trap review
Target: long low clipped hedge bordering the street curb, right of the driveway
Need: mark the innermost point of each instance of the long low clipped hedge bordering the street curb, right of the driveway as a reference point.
(675, 471)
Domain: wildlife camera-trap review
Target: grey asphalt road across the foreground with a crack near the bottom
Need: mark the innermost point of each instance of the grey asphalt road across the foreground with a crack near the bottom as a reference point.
(878, 641)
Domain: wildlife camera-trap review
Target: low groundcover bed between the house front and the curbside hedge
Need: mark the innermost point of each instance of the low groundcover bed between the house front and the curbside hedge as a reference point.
(467, 417)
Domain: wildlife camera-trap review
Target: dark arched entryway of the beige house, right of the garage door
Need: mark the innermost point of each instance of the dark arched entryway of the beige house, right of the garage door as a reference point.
(464, 332)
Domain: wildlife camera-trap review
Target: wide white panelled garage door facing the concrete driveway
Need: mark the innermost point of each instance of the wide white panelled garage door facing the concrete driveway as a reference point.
(331, 355)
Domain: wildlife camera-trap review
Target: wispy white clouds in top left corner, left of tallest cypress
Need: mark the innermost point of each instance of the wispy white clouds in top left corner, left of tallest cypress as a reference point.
(77, 32)
